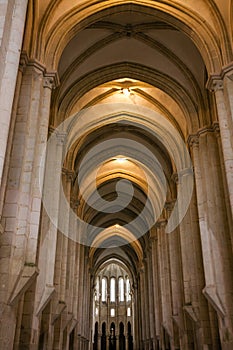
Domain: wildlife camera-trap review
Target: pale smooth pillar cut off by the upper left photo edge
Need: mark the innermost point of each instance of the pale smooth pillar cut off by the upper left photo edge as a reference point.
(12, 22)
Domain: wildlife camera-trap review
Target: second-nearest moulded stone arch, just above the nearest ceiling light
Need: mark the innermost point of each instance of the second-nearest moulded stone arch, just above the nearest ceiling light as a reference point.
(194, 117)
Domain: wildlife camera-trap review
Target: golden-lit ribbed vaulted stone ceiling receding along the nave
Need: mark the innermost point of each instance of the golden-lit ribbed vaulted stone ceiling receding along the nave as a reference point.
(139, 56)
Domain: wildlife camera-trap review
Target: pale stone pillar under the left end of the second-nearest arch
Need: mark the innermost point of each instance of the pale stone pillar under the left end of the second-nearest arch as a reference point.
(45, 287)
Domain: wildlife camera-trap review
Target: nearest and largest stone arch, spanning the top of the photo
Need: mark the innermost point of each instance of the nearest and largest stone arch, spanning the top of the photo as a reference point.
(192, 25)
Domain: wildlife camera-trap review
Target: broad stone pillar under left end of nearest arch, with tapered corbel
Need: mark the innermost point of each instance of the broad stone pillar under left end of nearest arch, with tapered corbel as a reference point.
(21, 211)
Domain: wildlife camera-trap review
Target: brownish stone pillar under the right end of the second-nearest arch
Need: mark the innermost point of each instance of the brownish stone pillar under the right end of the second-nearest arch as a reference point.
(214, 230)
